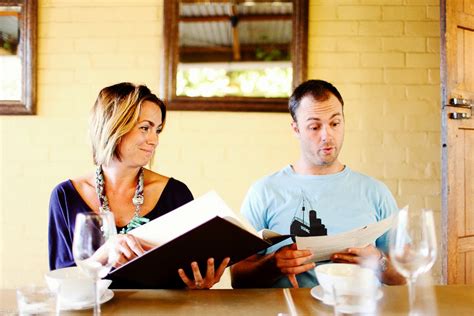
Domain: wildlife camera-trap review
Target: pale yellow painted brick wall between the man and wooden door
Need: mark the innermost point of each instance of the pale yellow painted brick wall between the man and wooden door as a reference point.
(384, 56)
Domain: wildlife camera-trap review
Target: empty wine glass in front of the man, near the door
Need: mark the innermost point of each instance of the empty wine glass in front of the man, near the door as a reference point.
(413, 246)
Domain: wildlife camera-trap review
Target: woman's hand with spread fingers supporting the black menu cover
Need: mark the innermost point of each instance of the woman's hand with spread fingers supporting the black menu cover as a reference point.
(212, 276)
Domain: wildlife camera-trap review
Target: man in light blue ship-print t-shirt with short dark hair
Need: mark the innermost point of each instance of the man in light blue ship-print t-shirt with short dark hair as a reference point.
(317, 195)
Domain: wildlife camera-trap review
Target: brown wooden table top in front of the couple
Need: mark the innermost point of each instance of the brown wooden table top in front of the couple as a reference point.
(449, 300)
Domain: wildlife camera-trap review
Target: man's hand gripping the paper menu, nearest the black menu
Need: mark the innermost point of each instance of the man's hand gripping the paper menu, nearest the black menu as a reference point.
(291, 261)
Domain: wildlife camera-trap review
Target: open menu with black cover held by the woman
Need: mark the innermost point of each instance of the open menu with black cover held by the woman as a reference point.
(201, 229)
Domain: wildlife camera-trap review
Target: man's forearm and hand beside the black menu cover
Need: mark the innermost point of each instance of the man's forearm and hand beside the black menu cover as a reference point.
(261, 271)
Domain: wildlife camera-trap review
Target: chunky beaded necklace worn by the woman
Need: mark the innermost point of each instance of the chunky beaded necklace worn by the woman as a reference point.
(137, 199)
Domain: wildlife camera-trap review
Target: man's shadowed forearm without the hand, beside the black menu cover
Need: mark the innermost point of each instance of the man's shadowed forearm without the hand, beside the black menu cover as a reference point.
(255, 272)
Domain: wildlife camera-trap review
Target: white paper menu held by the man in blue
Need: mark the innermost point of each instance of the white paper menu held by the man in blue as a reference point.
(323, 247)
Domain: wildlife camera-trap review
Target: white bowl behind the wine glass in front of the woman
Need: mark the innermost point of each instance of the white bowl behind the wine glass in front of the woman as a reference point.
(73, 286)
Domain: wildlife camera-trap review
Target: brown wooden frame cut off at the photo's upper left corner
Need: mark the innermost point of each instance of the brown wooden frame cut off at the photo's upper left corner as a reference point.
(27, 48)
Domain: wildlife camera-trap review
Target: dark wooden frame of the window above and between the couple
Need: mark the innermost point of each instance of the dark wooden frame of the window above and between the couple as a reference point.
(171, 56)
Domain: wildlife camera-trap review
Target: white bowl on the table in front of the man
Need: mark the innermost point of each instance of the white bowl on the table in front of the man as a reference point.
(350, 277)
